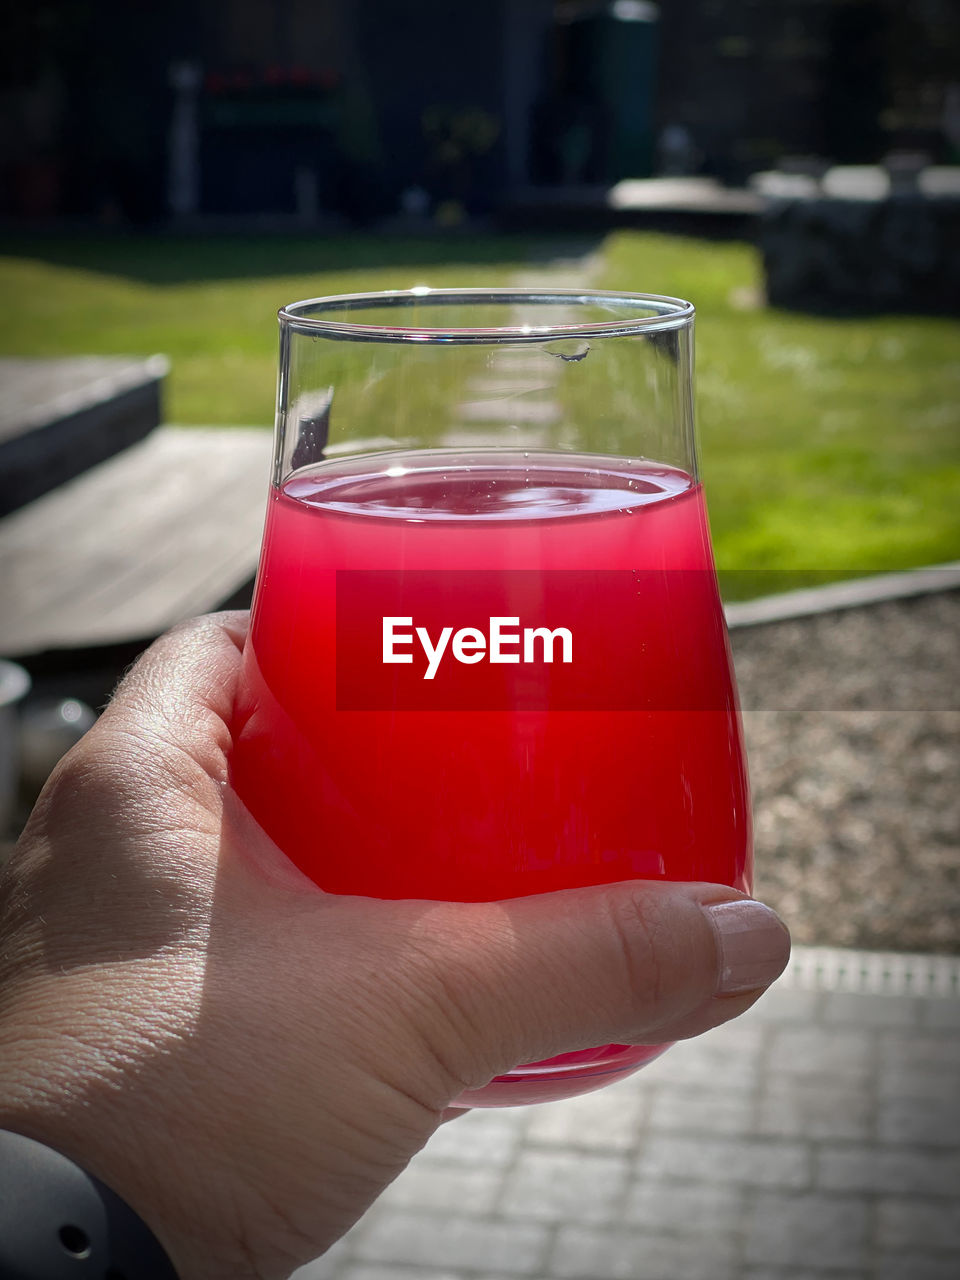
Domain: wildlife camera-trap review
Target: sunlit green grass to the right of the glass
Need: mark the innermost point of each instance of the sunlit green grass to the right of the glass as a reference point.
(830, 446)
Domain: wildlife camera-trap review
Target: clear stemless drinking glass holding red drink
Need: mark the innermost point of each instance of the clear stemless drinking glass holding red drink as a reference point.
(487, 655)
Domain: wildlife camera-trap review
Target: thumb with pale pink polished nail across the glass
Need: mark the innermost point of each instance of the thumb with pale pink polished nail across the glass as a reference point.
(637, 963)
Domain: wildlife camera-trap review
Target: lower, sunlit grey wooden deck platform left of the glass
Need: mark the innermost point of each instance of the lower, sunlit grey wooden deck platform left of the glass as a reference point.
(166, 529)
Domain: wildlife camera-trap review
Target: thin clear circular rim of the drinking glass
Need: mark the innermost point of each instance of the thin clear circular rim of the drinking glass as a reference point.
(669, 314)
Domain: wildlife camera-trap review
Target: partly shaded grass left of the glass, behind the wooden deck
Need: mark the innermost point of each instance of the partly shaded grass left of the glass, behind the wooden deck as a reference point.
(211, 305)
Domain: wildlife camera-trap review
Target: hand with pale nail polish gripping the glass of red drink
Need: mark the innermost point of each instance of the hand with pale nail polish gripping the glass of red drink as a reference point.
(248, 1060)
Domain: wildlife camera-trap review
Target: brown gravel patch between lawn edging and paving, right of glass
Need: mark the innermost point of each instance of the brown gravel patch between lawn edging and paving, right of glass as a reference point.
(853, 730)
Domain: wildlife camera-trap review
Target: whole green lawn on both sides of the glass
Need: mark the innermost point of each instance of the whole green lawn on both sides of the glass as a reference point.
(831, 447)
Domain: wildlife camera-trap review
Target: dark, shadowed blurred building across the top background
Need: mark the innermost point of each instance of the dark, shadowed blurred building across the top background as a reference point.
(135, 115)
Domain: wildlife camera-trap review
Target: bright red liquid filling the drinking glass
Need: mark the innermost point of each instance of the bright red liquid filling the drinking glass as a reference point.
(516, 798)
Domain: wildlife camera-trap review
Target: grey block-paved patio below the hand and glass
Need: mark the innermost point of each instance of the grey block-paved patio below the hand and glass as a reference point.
(817, 1139)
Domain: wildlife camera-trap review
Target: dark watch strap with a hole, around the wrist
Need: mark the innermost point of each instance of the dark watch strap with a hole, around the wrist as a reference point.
(60, 1223)
